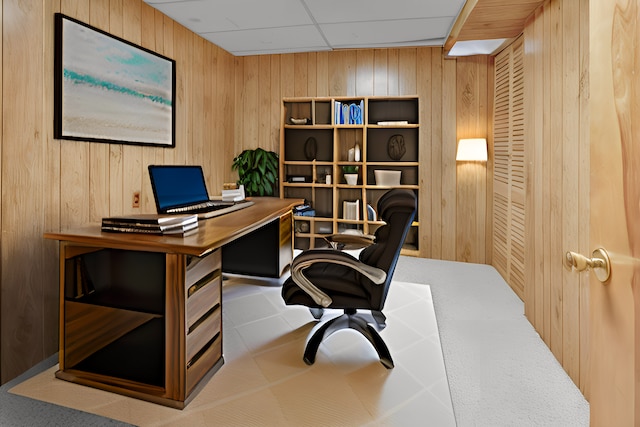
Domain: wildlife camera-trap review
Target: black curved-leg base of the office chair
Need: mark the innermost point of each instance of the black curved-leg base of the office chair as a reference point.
(351, 319)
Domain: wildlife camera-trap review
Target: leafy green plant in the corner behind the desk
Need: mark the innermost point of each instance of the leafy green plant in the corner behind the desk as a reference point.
(257, 171)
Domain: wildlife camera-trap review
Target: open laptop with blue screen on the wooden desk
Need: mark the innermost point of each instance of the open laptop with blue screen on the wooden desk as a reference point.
(180, 189)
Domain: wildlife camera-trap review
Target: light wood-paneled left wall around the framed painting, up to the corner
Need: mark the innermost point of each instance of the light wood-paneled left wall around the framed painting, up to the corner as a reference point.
(49, 184)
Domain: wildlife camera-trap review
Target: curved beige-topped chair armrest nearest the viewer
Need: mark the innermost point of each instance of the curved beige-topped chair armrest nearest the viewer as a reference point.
(307, 259)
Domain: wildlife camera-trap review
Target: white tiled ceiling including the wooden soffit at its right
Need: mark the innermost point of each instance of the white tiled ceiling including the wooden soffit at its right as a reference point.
(253, 27)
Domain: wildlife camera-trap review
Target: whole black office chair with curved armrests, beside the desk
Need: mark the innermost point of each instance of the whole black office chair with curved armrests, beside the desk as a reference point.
(330, 278)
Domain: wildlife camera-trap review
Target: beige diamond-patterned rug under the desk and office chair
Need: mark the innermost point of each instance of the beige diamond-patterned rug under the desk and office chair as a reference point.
(264, 381)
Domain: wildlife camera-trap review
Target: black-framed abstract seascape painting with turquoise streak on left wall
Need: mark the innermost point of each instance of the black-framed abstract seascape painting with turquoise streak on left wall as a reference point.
(110, 90)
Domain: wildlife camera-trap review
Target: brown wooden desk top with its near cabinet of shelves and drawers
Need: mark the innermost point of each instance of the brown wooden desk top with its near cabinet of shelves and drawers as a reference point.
(141, 315)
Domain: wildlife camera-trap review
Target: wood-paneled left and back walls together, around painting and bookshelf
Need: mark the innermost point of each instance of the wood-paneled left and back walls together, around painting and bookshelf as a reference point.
(224, 104)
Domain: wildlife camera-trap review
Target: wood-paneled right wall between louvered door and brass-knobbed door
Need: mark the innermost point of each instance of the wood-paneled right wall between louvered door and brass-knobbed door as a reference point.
(557, 191)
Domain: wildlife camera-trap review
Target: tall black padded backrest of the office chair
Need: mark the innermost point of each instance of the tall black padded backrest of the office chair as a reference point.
(396, 208)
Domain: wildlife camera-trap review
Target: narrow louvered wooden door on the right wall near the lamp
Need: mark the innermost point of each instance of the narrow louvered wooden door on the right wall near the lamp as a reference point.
(509, 173)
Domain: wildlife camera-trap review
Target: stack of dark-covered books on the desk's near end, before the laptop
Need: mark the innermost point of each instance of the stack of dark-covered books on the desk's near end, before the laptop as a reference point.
(151, 224)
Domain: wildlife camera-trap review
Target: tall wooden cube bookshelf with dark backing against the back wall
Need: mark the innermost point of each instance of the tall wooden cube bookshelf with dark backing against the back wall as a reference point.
(319, 137)
